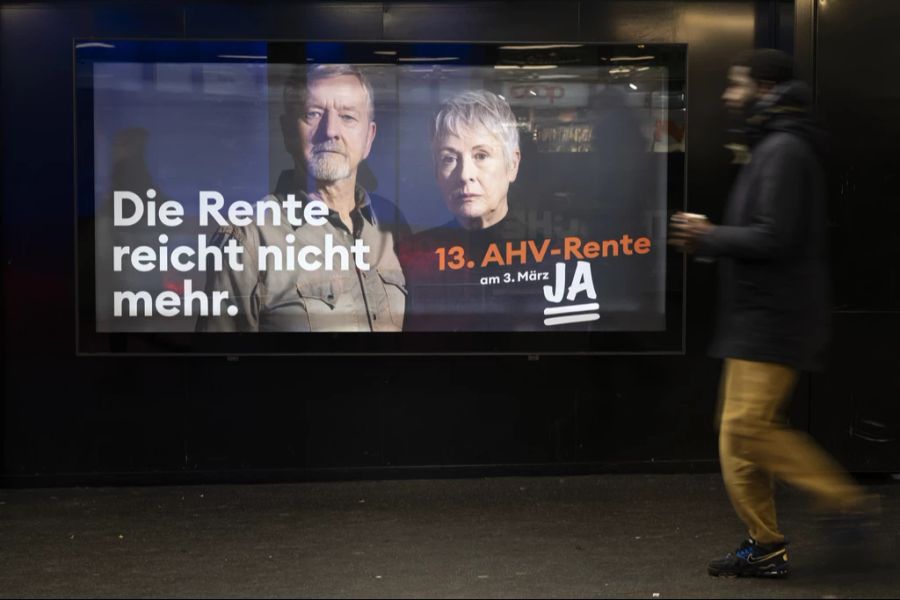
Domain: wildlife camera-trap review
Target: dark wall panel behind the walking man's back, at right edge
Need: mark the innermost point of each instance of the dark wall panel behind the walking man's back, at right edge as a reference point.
(859, 92)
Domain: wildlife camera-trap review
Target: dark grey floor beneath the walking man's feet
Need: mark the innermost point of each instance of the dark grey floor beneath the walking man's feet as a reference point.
(641, 536)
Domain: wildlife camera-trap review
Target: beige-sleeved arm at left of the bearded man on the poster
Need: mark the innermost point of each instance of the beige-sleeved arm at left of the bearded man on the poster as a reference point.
(242, 286)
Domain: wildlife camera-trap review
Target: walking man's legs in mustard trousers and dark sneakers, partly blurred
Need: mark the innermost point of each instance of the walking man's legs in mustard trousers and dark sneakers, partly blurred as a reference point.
(755, 445)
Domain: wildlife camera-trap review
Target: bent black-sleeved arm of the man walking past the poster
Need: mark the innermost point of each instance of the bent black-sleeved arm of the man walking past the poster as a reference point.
(776, 212)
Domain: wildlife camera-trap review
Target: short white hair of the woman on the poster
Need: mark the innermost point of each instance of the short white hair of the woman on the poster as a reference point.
(475, 109)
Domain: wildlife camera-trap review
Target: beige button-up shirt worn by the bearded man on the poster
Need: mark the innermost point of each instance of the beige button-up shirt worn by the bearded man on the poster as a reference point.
(312, 300)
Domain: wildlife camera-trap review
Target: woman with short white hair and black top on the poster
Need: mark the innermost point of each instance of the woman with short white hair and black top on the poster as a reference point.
(456, 273)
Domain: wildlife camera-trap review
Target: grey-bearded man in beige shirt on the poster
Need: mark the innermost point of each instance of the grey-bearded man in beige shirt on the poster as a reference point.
(346, 276)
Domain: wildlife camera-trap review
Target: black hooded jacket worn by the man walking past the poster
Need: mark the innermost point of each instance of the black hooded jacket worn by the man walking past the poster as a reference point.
(774, 283)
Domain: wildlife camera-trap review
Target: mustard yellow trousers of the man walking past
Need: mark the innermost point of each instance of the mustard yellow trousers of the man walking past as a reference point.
(756, 446)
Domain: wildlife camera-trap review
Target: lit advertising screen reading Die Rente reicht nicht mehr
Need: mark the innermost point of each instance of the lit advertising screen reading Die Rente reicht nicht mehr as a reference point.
(253, 187)
